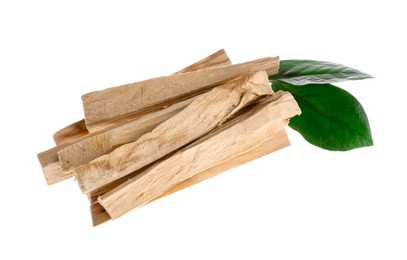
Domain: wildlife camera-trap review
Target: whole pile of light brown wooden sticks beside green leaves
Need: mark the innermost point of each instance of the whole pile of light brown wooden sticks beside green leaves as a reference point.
(144, 140)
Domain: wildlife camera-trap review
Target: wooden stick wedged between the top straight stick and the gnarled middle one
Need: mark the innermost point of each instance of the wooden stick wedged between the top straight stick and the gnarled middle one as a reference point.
(103, 143)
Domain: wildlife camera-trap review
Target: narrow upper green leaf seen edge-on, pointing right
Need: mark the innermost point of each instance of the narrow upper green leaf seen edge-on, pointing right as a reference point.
(302, 72)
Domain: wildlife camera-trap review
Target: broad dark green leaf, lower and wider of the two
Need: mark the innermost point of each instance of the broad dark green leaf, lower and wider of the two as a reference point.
(331, 117)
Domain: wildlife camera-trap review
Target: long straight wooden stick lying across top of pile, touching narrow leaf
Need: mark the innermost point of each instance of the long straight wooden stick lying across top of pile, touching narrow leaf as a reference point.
(106, 107)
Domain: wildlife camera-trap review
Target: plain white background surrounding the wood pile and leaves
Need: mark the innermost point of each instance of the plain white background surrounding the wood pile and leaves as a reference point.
(298, 203)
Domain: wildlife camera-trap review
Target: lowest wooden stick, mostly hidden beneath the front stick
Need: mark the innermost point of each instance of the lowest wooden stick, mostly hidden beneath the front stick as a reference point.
(274, 143)
